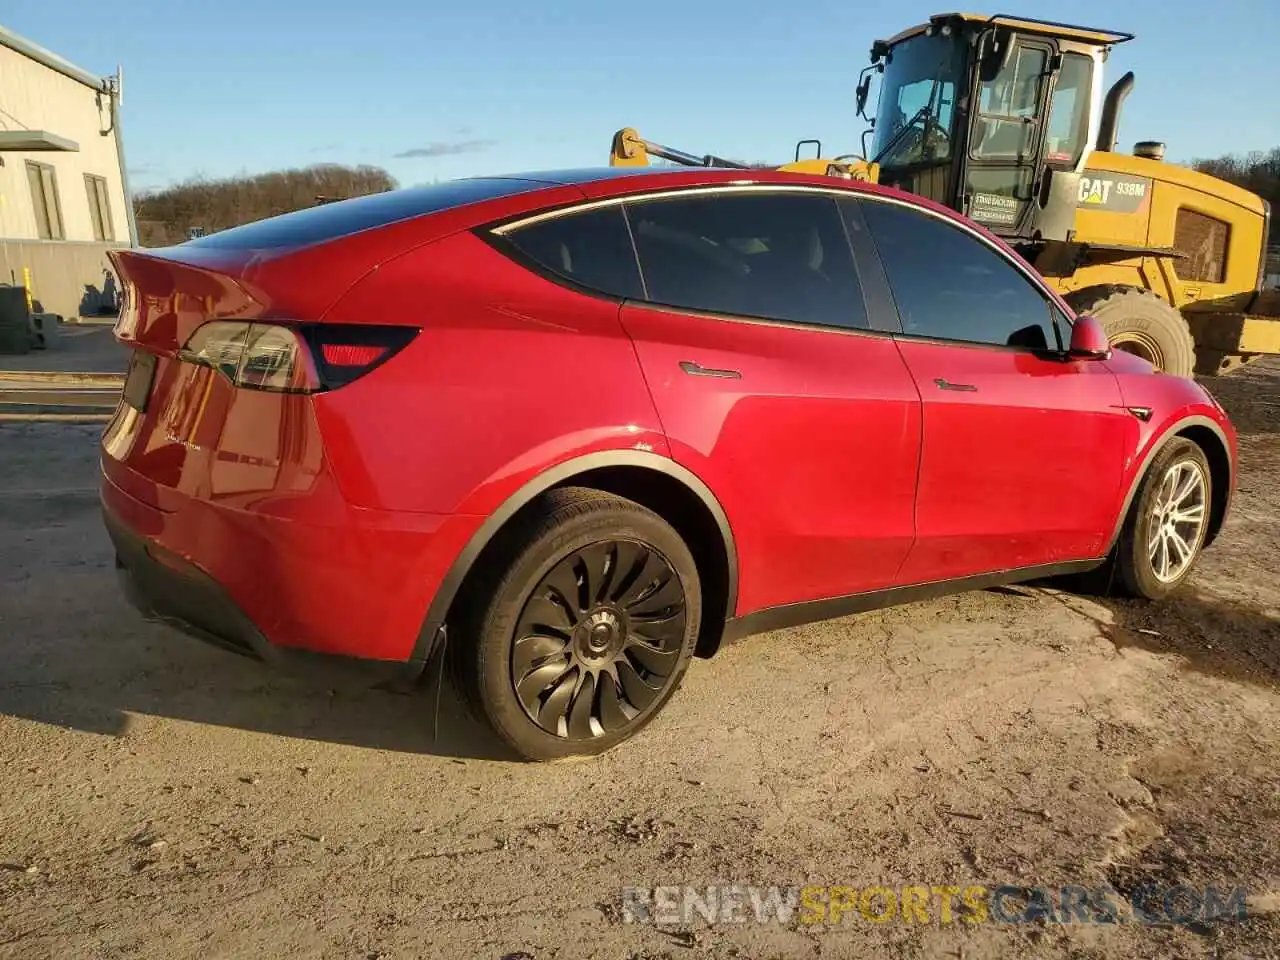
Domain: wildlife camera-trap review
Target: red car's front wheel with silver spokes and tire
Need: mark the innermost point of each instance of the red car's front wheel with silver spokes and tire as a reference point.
(1165, 531)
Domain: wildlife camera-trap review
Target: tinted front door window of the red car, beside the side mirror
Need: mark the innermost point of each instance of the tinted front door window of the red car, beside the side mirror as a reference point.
(950, 286)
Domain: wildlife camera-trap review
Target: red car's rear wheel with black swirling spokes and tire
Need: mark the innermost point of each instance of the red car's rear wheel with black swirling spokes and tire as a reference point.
(586, 628)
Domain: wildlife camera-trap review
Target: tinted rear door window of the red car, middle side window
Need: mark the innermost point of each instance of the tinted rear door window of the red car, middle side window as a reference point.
(781, 257)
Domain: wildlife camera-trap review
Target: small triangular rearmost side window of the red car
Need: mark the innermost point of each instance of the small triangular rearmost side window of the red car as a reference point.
(592, 249)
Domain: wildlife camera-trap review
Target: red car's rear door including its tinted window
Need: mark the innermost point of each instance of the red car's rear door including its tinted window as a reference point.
(772, 386)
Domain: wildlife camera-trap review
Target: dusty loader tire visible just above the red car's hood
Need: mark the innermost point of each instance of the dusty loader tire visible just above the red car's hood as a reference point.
(1139, 322)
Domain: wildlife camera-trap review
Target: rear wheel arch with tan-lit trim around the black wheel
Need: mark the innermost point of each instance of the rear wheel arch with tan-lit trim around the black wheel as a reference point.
(671, 491)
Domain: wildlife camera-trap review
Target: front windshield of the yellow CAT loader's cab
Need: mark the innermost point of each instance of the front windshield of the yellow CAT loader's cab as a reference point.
(917, 102)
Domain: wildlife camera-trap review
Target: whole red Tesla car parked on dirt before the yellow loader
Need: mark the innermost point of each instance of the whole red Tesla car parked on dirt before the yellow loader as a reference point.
(578, 428)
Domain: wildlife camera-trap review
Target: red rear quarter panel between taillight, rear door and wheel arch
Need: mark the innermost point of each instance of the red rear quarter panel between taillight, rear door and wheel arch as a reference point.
(510, 376)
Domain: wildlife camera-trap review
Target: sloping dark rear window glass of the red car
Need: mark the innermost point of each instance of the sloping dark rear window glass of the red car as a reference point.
(333, 221)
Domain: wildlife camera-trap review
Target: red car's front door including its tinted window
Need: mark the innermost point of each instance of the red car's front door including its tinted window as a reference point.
(1022, 450)
